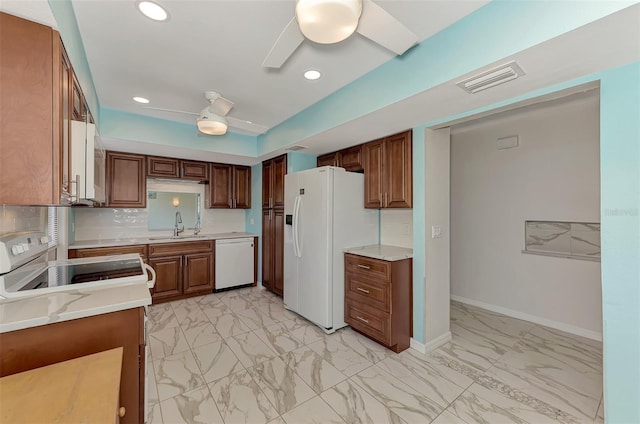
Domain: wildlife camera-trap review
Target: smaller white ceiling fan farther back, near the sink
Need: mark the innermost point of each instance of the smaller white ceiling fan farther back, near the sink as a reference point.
(213, 119)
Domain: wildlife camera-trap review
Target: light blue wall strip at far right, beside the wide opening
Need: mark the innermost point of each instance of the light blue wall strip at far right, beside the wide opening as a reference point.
(620, 232)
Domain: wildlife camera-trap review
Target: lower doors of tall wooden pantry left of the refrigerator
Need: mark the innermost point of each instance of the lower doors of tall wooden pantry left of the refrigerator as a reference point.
(273, 250)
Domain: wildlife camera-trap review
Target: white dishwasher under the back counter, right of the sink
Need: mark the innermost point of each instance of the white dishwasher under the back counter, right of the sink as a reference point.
(234, 262)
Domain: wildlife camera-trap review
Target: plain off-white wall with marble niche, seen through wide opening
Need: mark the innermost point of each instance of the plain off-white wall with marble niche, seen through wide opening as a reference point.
(552, 175)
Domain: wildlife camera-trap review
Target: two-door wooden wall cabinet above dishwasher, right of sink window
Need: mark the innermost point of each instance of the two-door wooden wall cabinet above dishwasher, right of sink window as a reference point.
(229, 187)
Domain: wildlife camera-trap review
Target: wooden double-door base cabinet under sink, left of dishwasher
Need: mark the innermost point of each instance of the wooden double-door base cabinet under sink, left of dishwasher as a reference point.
(182, 269)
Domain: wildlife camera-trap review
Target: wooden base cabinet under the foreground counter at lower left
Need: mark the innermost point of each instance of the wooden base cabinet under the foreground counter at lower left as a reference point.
(35, 347)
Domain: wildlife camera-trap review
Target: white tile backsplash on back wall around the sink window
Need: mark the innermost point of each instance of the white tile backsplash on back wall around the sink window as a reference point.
(126, 223)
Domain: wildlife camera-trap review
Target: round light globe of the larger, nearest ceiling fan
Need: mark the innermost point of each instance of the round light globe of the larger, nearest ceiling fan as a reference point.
(328, 21)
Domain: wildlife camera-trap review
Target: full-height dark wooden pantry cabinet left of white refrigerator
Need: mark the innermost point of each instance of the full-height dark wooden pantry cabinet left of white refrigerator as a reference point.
(273, 172)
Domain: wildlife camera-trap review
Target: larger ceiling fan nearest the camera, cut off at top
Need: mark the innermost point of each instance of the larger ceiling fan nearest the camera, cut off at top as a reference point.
(331, 21)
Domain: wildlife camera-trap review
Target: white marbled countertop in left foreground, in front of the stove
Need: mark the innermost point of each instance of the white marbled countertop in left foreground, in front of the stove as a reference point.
(48, 308)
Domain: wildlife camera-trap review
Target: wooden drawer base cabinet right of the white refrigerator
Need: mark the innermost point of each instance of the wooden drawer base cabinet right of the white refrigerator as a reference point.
(378, 299)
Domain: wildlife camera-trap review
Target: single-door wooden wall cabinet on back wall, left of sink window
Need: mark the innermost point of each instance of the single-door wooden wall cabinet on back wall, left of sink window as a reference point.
(126, 183)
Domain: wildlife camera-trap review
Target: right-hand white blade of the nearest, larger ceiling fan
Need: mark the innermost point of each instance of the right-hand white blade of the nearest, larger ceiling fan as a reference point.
(379, 26)
